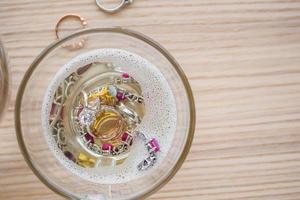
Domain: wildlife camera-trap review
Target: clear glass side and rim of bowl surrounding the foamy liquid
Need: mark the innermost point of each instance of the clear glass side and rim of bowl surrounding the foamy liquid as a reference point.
(29, 125)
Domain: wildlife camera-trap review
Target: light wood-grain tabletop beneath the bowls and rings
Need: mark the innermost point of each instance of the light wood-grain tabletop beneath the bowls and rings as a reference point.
(242, 58)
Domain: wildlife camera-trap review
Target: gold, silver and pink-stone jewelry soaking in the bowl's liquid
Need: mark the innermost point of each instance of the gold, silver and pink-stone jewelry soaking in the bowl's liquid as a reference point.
(93, 118)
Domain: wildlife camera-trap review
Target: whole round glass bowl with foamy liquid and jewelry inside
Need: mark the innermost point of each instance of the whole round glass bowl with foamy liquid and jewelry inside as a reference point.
(70, 119)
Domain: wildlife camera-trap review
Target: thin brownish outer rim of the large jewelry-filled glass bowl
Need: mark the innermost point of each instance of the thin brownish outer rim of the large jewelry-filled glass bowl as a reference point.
(136, 35)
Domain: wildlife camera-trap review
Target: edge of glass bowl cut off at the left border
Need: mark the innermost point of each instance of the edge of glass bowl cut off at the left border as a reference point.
(4, 80)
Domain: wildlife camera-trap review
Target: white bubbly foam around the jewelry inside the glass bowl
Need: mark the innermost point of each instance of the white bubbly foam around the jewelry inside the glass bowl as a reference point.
(159, 120)
